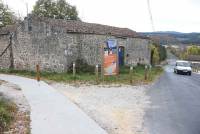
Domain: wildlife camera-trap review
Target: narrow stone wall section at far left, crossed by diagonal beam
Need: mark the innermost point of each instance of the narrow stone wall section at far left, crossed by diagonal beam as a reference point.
(5, 59)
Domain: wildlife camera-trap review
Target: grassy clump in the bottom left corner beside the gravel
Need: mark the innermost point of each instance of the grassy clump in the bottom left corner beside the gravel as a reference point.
(7, 114)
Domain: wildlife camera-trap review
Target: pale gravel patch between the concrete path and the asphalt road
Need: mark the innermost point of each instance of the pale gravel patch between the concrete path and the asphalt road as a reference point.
(117, 109)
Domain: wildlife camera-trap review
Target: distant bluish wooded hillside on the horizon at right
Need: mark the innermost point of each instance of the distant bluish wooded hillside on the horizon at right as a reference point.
(171, 37)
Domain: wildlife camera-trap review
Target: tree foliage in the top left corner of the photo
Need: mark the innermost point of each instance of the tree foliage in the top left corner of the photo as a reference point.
(6, 16)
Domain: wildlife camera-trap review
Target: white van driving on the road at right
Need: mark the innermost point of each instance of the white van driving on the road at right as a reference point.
(183, 67)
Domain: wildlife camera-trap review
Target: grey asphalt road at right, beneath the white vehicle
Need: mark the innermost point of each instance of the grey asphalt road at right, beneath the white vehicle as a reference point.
(175, 104)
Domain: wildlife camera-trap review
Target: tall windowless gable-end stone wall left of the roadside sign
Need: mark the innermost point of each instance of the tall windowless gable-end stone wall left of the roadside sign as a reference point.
(52, 49)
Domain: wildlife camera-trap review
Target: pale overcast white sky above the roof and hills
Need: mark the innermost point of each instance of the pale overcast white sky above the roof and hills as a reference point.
(168, 15)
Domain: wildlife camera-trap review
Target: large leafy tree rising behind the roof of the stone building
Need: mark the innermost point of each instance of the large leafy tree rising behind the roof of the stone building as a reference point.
(55, 9)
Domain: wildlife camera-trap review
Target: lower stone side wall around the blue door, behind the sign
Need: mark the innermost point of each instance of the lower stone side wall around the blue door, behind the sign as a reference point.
(136, 49)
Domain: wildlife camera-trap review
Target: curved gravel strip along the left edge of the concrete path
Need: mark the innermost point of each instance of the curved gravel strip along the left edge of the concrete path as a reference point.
(13, 93)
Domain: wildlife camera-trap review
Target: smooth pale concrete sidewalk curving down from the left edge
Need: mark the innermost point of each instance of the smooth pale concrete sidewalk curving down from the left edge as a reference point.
(51, 112)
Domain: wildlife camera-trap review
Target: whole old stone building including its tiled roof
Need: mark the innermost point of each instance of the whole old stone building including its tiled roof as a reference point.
(55, 44)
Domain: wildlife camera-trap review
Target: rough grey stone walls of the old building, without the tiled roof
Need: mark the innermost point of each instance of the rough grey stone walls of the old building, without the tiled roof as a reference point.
(54, 49)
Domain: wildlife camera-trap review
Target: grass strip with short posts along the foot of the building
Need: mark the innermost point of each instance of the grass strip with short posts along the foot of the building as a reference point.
(89, 77)
